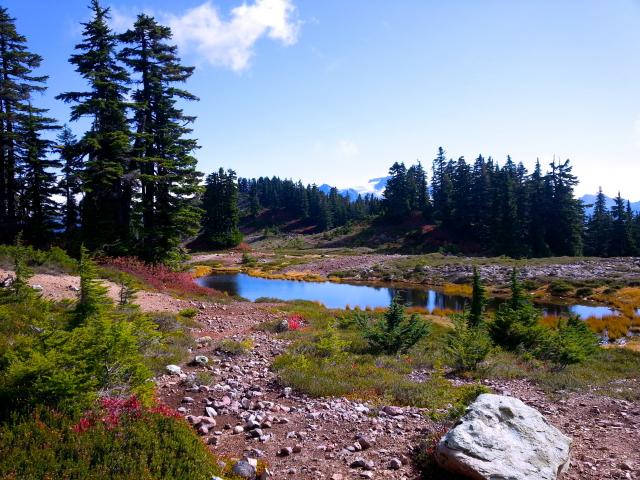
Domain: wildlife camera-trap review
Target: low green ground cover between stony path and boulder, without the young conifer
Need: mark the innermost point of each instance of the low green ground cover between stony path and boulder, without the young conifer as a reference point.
(328, 360)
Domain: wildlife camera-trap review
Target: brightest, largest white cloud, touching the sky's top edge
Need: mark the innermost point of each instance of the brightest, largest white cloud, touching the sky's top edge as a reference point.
(230, 42)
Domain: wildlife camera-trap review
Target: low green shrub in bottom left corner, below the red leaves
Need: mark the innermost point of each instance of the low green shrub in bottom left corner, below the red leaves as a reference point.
(152, 446)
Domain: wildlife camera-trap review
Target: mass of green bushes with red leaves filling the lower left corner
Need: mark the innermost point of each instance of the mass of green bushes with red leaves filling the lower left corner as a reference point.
(76, 396)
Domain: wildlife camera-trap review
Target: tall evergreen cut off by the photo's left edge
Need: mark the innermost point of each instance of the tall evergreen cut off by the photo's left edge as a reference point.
(17, 84)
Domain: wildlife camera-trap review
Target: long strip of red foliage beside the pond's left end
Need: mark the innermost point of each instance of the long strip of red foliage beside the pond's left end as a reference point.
(158, 276)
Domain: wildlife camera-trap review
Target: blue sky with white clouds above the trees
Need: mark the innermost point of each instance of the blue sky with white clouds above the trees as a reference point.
(336, 90)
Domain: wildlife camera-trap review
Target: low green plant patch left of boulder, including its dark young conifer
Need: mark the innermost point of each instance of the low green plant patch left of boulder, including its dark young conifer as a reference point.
(365, 355)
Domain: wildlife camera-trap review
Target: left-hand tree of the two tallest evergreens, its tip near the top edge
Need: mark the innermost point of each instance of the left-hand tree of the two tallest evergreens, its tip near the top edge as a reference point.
(108, 176)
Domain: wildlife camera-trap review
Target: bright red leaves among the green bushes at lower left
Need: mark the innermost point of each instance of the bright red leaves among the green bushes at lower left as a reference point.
(111, 411)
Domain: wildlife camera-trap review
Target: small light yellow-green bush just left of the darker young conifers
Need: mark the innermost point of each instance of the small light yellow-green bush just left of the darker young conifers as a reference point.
(467, 346)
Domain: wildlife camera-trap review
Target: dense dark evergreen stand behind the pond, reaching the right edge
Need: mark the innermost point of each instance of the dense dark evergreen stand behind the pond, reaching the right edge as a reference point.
(506, 210)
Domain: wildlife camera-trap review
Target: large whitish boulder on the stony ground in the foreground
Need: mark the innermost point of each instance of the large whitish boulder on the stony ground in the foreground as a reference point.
(501, 438)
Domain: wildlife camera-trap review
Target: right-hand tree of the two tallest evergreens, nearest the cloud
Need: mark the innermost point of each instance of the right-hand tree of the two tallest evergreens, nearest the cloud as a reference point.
(161, 152)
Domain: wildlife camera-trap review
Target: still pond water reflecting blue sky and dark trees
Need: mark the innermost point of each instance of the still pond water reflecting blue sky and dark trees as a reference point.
(339, 295)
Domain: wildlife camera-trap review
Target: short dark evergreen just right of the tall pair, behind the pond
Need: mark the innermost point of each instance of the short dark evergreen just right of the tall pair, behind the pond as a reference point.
(221, 217)
